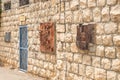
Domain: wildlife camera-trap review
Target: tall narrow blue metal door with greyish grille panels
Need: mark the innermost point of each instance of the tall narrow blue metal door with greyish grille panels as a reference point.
(23, 48)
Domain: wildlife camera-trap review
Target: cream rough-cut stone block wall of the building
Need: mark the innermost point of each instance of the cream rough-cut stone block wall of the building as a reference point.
(100, 62)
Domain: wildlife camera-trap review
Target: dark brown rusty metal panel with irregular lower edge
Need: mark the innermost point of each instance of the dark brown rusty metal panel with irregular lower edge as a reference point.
(85, 35)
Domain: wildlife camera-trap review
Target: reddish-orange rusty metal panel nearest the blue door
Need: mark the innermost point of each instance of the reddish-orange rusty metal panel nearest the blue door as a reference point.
(47, 37)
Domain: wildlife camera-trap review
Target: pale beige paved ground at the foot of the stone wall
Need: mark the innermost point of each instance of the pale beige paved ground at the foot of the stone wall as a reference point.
(8, 74)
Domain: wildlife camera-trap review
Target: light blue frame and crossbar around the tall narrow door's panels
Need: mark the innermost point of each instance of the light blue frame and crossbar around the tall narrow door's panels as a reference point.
(20, 48)
